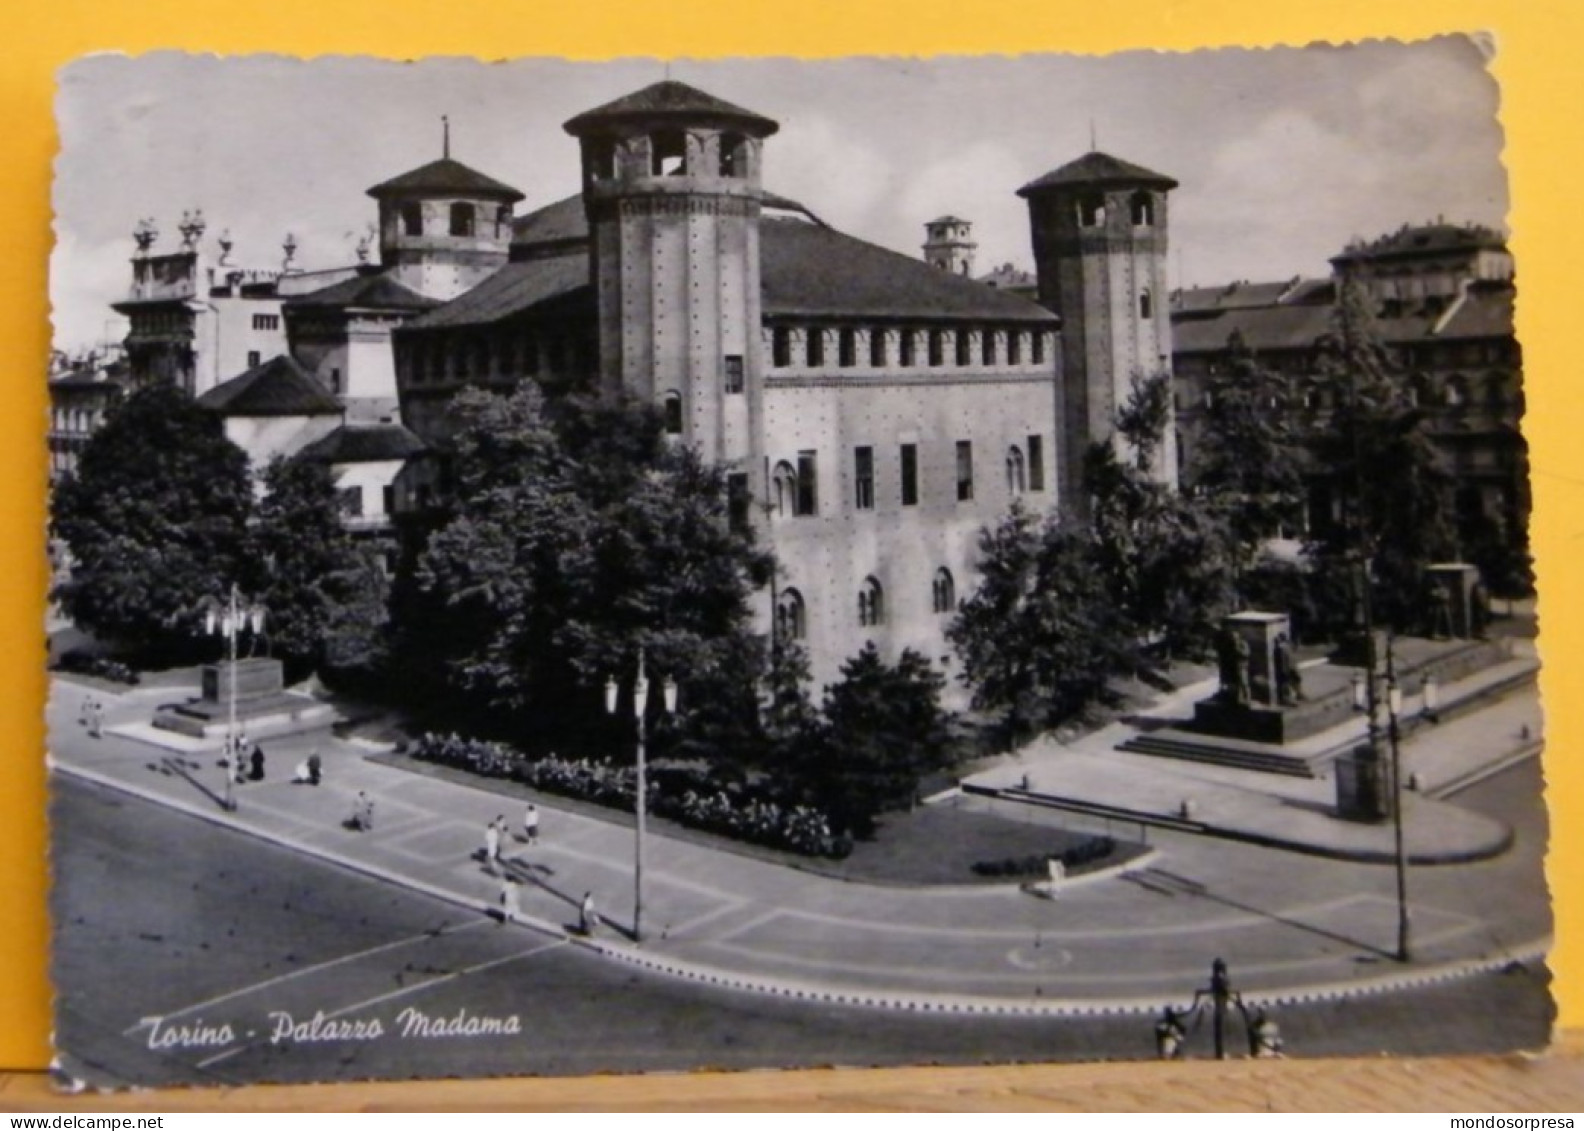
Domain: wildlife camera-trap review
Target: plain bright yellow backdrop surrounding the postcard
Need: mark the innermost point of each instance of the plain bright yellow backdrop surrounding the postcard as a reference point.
(1542, 109)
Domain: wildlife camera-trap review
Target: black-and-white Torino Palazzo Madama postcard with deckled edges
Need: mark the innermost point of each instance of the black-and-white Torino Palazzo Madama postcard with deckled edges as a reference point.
(568, 568)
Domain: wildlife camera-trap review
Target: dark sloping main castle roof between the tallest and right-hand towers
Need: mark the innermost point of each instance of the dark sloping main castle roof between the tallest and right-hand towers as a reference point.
(810, 270)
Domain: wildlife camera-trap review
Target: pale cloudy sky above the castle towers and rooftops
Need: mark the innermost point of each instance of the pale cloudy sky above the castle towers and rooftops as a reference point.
(1284, 156)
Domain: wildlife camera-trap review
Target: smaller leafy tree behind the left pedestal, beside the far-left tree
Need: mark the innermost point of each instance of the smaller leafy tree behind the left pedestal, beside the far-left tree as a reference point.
(324, 593)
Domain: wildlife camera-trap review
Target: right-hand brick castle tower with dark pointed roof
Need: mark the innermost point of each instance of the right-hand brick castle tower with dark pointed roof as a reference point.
(1100, 251)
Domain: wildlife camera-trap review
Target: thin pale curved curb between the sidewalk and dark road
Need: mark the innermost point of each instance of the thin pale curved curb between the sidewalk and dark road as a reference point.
(823, 994)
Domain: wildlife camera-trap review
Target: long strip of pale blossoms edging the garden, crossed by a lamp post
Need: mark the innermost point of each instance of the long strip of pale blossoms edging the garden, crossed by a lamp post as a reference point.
(691, 798)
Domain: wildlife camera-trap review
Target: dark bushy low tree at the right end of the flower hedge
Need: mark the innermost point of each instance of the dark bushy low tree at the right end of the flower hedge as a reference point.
(885, 733)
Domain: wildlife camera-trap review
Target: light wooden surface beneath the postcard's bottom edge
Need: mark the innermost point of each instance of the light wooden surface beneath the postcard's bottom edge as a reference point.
(1487, 1086)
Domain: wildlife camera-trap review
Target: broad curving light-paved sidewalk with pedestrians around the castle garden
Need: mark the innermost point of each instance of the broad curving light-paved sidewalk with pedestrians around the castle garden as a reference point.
(733, 921)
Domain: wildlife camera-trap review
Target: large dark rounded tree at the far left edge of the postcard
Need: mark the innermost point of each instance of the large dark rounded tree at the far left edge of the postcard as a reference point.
(156, 520)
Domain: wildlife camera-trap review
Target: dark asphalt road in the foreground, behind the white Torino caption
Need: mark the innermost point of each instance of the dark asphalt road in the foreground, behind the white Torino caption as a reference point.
(173, 918)
